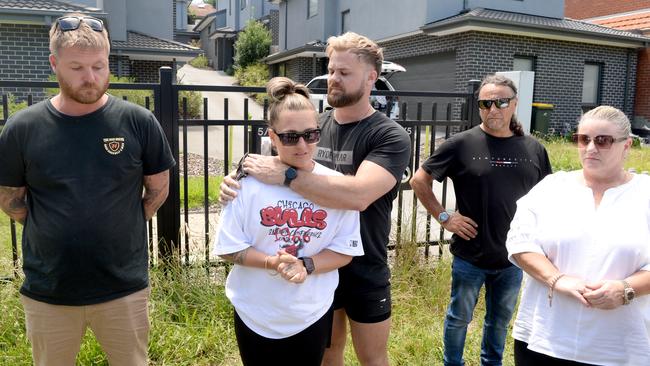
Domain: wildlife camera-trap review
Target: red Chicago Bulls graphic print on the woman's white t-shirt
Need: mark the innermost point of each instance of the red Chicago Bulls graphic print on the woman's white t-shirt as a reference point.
(292, 224)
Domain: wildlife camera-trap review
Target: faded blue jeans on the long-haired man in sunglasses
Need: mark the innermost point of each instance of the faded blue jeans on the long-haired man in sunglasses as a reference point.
(501, 291)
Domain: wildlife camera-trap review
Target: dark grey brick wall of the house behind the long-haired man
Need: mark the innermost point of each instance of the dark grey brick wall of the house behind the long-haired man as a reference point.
(559, 67)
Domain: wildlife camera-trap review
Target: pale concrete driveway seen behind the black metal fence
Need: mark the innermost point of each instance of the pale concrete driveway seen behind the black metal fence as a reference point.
(189, 75)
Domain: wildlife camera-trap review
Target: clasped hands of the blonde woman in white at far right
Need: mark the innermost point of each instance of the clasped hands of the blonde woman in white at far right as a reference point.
(601, 294)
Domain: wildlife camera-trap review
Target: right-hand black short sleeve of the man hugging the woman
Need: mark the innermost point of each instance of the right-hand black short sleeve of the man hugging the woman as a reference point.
(392, 151)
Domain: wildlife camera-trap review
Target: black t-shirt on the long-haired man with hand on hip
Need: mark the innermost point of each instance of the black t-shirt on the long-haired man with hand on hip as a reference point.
(489, 174)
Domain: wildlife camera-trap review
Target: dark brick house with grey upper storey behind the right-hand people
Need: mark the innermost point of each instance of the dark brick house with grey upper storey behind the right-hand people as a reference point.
(443, 45)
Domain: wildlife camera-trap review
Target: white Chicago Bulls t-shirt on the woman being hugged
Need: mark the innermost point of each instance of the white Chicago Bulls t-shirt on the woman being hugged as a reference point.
(269, 218)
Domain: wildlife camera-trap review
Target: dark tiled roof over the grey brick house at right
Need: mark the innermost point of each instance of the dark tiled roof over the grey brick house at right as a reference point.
(496, 21)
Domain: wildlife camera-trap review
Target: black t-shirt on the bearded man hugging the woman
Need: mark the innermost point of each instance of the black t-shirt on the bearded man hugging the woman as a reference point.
(382, 141)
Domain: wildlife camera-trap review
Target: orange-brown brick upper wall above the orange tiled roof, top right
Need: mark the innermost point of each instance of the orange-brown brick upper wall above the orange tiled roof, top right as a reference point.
(582, 9)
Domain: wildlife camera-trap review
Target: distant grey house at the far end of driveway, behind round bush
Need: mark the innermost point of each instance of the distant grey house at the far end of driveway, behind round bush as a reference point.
(218, 30)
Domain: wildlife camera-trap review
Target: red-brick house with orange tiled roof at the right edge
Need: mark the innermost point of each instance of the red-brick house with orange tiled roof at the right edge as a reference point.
(633, 16)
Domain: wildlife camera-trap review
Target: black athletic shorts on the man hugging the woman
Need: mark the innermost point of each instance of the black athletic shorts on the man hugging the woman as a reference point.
(364, 306)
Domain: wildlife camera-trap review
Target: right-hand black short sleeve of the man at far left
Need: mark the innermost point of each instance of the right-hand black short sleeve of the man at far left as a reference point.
(157, 155)
